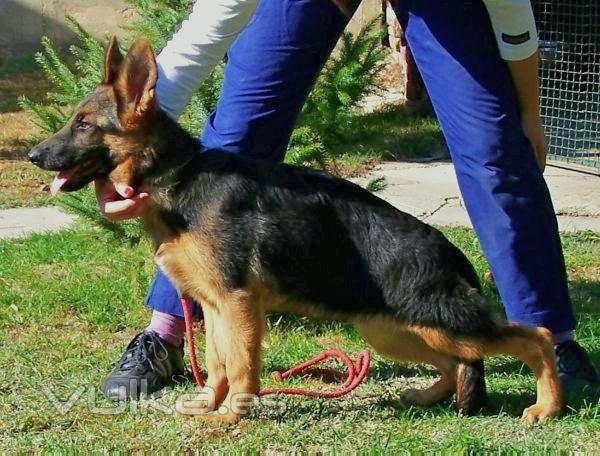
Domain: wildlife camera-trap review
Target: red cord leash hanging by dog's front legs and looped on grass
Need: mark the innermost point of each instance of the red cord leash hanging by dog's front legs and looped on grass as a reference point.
(357, 371)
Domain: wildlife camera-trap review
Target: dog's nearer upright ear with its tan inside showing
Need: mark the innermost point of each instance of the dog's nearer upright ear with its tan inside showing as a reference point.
(135, 83)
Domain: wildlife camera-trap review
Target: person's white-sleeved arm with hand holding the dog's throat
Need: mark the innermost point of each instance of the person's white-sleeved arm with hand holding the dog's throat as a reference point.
(185, 62)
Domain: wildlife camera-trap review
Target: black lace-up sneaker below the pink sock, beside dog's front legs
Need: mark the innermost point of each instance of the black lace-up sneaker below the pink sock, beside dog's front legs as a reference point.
(148, 365)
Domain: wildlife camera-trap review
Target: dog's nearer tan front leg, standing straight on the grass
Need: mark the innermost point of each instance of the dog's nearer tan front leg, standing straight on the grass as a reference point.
(240, 325)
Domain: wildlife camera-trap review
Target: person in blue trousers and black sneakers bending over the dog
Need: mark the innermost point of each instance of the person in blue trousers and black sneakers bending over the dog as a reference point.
(478, 60)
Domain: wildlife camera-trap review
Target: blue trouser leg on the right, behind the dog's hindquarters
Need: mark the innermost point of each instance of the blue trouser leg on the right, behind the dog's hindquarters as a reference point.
(504, 192)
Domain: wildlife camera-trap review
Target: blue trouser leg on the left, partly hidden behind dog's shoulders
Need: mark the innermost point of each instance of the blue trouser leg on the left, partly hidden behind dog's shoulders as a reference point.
(270, 69)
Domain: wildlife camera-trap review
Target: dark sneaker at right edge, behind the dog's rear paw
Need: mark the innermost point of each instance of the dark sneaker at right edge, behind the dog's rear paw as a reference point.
(577, 375)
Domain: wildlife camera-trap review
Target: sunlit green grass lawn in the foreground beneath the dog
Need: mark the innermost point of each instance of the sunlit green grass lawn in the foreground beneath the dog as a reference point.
(70, 301)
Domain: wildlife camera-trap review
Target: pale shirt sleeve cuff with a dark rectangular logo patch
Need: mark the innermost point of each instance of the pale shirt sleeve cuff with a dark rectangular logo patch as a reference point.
(514, 27)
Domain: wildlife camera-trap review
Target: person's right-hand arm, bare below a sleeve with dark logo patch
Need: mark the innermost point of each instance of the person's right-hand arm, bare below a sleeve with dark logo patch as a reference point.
(516, 33)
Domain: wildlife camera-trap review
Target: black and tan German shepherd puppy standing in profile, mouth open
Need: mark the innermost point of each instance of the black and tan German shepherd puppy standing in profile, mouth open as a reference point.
(245, 237)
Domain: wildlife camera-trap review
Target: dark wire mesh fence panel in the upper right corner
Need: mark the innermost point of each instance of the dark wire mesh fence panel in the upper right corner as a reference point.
(569, 33)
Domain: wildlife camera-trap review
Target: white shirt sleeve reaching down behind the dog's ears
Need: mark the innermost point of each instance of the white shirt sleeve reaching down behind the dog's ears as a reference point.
(198, 46)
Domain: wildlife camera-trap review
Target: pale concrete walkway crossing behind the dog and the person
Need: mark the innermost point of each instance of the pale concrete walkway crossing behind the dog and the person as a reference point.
(426, 190)
